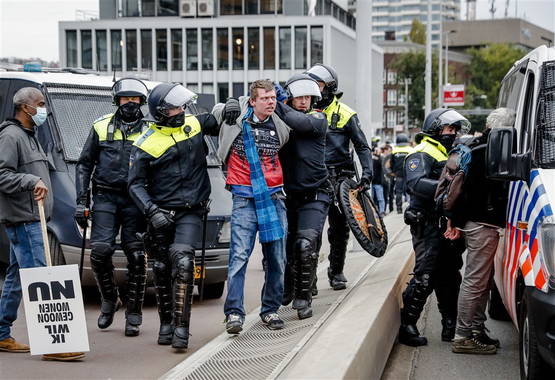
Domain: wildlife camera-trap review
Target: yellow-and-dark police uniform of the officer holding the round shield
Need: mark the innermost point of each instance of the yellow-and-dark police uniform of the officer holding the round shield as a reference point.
(343, 128)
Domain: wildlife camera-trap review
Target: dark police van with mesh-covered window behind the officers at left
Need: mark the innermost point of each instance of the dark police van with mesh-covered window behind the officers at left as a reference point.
(74, 101)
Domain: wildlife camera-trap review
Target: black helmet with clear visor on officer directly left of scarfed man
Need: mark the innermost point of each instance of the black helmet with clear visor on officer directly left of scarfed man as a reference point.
(167, 96)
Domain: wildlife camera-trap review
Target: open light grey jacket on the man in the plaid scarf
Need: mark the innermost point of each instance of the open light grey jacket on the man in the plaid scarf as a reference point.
(228, 133)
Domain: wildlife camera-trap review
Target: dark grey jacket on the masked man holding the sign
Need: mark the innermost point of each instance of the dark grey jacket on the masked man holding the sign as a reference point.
(22, 164)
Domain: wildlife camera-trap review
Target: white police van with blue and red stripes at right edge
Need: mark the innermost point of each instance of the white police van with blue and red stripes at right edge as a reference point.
(525, 259)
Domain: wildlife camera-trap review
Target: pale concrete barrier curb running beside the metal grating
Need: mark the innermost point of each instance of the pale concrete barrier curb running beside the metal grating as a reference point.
(357, 341)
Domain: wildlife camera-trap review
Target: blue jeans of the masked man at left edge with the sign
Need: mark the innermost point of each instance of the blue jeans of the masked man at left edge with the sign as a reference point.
(26, 251)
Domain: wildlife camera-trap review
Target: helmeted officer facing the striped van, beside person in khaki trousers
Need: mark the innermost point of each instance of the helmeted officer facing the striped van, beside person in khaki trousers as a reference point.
(438, 260)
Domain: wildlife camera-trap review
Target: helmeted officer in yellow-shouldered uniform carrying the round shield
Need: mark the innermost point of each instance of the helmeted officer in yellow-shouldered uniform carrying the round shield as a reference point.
(343, 128)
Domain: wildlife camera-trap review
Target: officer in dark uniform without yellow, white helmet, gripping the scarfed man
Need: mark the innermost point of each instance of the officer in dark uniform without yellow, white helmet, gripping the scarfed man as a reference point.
(309, 192)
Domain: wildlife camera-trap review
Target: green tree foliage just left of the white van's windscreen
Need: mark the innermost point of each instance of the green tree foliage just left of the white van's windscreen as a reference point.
(487, 68)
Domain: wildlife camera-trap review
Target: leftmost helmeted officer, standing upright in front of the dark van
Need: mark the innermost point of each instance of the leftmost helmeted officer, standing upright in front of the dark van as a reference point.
(105, 157)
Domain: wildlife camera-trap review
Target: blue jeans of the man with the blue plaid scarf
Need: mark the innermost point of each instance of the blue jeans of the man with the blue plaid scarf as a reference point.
(244, 226)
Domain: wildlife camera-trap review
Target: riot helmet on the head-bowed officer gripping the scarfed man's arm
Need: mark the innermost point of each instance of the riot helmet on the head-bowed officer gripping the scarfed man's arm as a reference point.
(165, 98)
